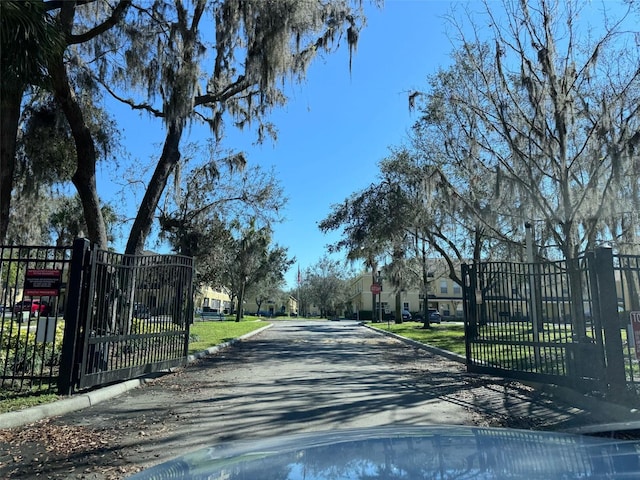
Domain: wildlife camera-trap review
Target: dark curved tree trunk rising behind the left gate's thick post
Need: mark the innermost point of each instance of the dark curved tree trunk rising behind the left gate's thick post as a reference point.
(84, 177)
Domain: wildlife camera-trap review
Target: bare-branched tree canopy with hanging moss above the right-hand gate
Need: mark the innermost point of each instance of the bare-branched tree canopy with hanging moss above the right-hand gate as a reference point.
(538, 122)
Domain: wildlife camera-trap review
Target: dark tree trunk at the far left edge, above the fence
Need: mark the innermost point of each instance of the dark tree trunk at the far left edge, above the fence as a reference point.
(9, 118)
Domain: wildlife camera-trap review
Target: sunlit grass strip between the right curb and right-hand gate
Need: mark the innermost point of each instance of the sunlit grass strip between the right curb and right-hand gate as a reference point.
(445, 336)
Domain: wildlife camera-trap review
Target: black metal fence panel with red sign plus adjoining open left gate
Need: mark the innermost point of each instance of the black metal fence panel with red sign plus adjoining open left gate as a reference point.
(90, 317)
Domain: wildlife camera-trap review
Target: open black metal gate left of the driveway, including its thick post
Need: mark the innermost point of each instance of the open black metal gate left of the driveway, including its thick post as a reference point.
(131, 317)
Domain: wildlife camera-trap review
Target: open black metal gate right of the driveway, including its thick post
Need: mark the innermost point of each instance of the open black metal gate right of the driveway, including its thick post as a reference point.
(546, 321)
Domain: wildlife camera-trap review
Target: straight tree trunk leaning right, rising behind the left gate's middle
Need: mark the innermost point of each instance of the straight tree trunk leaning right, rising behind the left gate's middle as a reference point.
(144, 219)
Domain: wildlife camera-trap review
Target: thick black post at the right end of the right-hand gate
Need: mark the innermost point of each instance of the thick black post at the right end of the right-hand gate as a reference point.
(608, 314)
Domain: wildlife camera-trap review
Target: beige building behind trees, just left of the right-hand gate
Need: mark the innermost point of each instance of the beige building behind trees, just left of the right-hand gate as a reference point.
(443, 295)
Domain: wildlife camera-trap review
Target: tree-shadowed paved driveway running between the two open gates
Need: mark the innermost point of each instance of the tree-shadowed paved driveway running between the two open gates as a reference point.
(301, 376)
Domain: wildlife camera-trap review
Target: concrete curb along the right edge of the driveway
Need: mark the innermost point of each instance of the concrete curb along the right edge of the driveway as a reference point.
(605, 410)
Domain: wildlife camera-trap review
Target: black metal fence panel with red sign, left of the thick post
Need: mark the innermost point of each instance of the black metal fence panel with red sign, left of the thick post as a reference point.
(33, 297)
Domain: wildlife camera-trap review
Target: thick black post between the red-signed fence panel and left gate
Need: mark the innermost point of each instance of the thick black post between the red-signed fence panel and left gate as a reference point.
(72, 316)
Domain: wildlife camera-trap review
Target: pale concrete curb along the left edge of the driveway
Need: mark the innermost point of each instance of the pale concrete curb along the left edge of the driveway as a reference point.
(84, 400)
